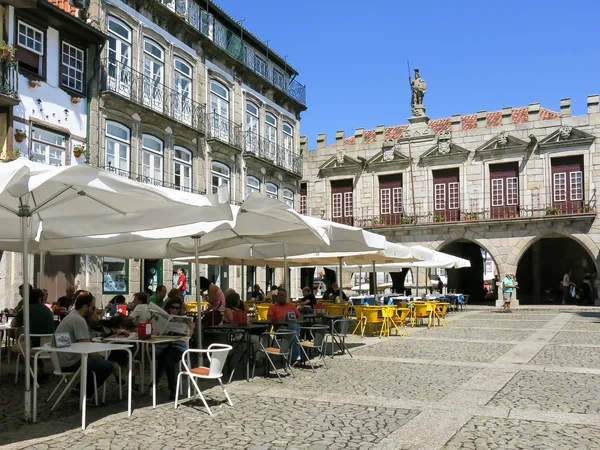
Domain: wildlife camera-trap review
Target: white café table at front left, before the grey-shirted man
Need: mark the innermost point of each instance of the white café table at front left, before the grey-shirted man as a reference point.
(84, 349)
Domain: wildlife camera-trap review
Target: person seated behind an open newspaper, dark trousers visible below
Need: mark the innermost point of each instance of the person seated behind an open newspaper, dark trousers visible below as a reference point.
(170, 354)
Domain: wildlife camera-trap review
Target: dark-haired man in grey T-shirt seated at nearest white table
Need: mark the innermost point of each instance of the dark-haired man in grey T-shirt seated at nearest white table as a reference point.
(75, 324)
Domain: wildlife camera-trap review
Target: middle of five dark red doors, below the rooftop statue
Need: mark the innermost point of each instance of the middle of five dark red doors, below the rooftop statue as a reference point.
(446, 195)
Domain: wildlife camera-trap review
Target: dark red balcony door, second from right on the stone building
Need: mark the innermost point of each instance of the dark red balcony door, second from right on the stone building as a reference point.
(504, 189)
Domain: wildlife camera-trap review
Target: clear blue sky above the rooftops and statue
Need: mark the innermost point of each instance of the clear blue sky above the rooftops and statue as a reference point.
(474, 55)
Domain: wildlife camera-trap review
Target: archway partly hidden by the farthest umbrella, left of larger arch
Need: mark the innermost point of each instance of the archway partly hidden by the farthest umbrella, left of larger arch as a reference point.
(471, 280)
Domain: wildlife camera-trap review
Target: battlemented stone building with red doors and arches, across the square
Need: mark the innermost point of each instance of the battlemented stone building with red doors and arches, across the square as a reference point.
(518, 185)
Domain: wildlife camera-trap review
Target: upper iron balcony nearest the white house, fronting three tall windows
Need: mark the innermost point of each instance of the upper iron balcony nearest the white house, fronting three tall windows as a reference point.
(152, 94)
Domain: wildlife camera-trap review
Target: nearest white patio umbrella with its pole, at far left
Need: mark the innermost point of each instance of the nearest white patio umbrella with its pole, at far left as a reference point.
(52, 202)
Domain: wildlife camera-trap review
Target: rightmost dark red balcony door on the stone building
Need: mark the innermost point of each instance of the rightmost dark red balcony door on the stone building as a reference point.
(567, 184)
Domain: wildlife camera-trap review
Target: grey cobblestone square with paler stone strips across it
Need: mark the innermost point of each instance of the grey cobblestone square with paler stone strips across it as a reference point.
(528, 380)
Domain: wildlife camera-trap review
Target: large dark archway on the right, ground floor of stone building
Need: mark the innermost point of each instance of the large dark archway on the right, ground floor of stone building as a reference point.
(543, 265)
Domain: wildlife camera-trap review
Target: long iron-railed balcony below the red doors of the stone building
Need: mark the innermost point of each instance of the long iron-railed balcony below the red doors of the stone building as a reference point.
(407, 215)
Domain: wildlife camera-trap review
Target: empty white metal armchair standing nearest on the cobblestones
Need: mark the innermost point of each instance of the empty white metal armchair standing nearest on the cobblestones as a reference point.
(217, 355)
